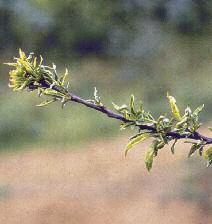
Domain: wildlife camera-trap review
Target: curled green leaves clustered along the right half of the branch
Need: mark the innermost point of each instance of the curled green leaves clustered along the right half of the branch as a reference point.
(182, 125)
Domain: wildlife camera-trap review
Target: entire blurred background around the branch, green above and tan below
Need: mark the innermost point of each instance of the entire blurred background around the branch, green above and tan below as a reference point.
(122, 47)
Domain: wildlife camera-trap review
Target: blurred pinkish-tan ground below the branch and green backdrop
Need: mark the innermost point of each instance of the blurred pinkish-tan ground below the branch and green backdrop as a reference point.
(99, 185)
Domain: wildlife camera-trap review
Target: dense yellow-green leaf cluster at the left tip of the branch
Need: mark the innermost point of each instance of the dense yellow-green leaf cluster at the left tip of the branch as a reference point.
(31, 74)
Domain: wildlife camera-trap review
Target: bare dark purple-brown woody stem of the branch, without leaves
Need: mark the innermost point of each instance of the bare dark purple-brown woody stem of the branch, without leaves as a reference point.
(111, 114)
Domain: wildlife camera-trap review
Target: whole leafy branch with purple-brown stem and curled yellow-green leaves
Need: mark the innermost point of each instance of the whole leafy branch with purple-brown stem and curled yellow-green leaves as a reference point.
(33, 76)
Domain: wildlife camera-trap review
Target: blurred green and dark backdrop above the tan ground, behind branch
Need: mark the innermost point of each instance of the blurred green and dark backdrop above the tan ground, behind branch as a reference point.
(122, 47)
